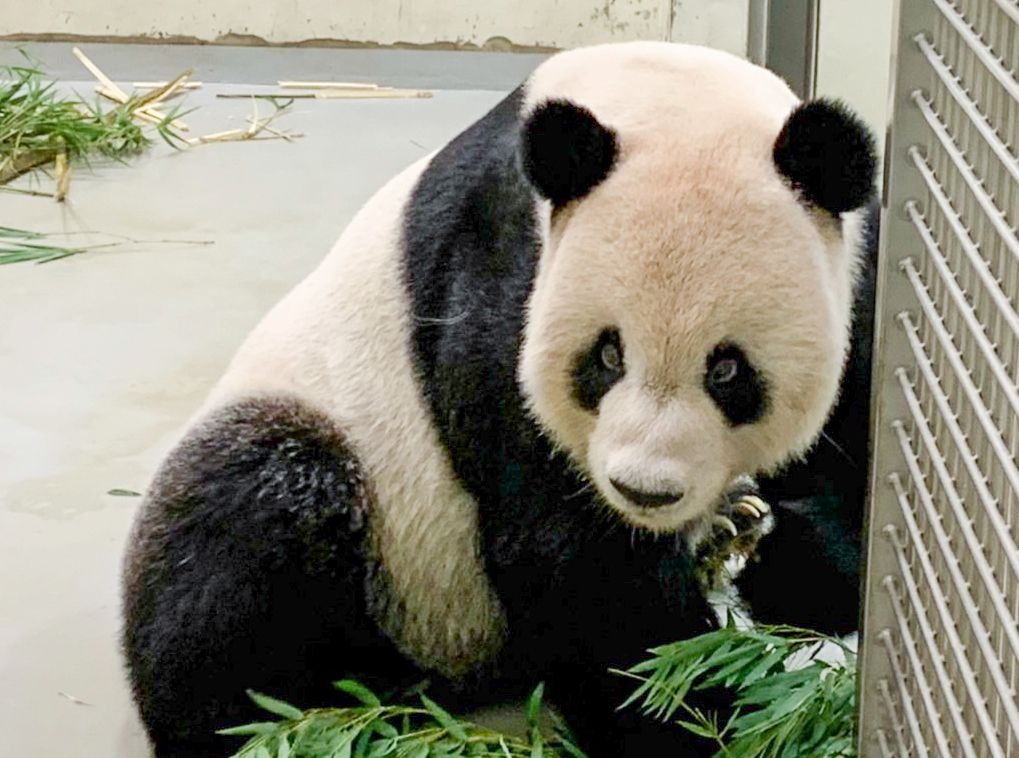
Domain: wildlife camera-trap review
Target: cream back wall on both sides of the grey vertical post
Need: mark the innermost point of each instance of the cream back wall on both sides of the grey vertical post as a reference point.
(853, 51)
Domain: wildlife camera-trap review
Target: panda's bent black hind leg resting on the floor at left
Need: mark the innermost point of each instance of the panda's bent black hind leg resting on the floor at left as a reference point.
(247, 570)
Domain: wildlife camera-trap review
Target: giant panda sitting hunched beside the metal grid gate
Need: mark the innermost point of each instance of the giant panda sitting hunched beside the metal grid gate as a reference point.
(471, 447)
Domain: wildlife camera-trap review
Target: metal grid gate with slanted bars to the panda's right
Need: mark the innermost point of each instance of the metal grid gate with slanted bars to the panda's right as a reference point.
(940, 661)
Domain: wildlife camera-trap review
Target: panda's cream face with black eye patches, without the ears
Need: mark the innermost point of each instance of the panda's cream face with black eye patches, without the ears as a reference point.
(684, 336)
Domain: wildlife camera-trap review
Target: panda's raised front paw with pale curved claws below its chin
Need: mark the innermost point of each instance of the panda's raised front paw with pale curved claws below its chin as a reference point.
(731, 536)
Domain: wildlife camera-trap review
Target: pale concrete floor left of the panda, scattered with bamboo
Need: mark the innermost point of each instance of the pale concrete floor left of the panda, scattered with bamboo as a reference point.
(103, 357)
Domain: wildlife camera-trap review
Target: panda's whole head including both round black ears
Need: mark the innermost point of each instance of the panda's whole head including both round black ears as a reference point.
(690, 317)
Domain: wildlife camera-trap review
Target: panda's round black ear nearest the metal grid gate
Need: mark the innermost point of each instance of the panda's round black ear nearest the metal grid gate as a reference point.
(829, 155)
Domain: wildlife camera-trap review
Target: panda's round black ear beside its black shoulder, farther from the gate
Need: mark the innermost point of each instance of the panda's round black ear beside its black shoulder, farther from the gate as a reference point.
(566, 151)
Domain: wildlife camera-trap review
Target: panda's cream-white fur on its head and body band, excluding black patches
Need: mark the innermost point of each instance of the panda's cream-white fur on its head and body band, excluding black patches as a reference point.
(733, 244)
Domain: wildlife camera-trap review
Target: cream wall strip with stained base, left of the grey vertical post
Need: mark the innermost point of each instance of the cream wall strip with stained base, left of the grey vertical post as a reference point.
(495, 24)
